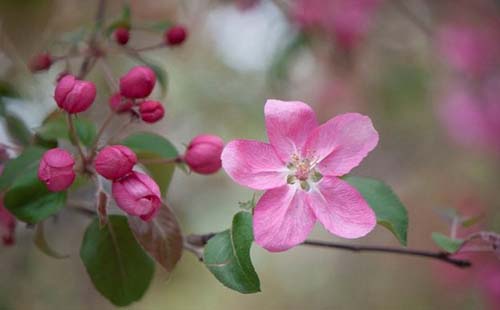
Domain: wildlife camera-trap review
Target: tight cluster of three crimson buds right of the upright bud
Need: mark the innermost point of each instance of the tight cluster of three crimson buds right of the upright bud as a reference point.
(135, 85)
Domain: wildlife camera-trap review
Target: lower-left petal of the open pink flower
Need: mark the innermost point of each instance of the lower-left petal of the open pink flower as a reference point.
(282, 219)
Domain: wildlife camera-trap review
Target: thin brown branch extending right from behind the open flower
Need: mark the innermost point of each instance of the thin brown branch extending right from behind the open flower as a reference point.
(201, 240)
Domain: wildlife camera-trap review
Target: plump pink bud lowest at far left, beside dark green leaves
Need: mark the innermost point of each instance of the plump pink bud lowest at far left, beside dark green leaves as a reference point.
(56, 169)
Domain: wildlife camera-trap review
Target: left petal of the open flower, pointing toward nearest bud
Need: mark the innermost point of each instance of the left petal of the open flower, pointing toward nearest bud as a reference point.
(253, 164)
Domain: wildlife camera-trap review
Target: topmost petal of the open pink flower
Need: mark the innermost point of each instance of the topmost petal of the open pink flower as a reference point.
(288, 124)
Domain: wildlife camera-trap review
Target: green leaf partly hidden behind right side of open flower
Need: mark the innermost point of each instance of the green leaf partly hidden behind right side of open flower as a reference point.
(391, 213)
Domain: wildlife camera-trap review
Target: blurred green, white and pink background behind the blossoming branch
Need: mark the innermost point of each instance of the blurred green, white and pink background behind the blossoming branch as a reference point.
(426, 72)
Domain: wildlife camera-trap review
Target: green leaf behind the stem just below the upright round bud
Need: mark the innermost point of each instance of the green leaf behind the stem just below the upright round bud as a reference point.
(57, 128)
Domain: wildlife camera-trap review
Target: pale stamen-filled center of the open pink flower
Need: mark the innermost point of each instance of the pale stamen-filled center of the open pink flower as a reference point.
(303, 170)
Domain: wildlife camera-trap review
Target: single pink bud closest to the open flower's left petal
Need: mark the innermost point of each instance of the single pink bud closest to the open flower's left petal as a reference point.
(203, 154)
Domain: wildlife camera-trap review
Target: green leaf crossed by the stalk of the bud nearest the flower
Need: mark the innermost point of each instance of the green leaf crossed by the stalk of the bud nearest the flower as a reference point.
(152, 147)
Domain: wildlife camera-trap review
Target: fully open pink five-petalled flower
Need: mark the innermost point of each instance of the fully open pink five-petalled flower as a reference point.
(299, 170)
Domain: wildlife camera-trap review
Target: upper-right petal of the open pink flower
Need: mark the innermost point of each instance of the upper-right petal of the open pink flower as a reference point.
(341, 143)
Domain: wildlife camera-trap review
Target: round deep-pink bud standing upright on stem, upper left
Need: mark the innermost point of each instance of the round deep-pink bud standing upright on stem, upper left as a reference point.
(74, 96)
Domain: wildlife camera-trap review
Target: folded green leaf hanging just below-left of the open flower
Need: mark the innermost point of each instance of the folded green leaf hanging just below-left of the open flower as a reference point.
(227, 256)
